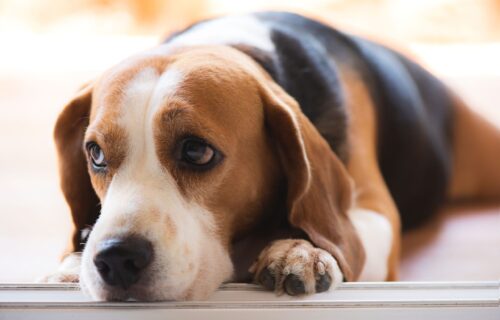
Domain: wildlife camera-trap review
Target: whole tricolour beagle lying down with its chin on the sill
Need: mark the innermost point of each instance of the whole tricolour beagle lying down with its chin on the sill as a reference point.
(265, 147)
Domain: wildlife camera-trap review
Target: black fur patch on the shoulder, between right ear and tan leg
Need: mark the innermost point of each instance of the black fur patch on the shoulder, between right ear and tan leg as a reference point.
(301, 65)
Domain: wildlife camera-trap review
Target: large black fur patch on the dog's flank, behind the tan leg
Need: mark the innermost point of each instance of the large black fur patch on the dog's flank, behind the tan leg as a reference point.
(414, 113)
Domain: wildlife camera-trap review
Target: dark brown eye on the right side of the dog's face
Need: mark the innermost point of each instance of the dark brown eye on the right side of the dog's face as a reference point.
(197, 152)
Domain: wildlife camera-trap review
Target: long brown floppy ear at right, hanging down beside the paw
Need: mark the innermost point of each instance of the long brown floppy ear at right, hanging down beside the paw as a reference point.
(319, 191)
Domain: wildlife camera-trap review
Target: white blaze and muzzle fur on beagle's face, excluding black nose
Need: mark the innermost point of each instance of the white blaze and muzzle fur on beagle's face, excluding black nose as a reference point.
(143, 199)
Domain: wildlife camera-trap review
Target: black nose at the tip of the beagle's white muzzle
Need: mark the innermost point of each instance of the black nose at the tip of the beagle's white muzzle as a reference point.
(121, 260)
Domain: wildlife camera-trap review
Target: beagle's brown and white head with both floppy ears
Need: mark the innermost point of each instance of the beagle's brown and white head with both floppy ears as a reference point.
(185, 152)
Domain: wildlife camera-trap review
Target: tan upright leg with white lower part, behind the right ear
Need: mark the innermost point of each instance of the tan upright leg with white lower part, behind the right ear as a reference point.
(375, 214)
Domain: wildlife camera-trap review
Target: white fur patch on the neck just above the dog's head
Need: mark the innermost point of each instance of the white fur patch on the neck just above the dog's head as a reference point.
(227, 30)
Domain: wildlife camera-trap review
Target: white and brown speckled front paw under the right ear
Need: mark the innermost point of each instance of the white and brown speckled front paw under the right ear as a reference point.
(296, 267)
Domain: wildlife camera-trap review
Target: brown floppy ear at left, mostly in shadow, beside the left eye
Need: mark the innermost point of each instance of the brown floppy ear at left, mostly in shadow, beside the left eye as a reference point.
(75, 180)
